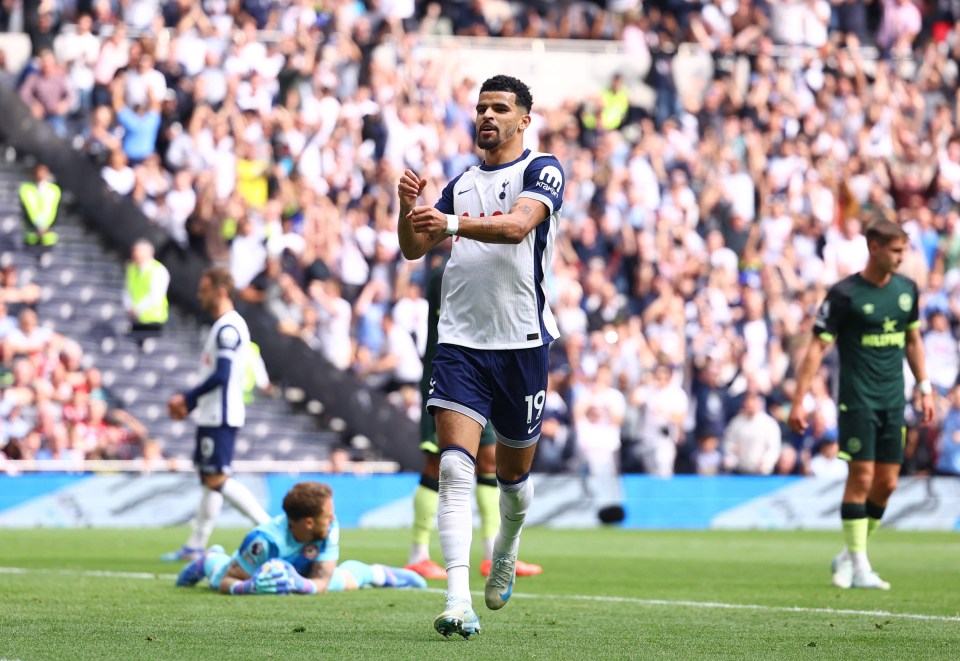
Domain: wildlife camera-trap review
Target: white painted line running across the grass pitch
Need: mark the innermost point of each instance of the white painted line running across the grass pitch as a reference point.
(716, 605)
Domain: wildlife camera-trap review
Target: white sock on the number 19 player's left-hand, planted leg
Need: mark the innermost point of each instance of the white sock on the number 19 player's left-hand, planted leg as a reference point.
(455, 521)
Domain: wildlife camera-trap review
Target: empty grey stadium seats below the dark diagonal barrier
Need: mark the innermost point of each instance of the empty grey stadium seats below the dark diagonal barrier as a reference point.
(82, 299)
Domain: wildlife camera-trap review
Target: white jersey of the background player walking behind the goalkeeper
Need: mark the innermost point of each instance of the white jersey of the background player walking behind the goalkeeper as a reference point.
(229, 338)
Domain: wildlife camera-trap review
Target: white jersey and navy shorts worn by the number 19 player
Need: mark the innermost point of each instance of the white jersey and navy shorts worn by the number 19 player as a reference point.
(493, 300)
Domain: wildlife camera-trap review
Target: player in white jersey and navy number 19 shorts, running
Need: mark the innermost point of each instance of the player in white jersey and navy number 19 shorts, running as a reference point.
(494, 331)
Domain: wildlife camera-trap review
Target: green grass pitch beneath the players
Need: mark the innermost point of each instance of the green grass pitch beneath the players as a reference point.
(571, 611)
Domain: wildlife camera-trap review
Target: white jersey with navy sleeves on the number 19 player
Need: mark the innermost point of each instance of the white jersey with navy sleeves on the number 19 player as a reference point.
(493, 294)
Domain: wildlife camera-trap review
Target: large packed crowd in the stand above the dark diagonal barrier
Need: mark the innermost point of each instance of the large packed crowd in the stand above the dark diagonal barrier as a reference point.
(698, 234)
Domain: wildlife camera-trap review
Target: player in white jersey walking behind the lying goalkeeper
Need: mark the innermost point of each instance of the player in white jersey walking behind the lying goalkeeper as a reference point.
(220, 413)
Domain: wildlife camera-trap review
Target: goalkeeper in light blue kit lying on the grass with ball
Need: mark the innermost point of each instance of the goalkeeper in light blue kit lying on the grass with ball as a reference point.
(294, 553)
